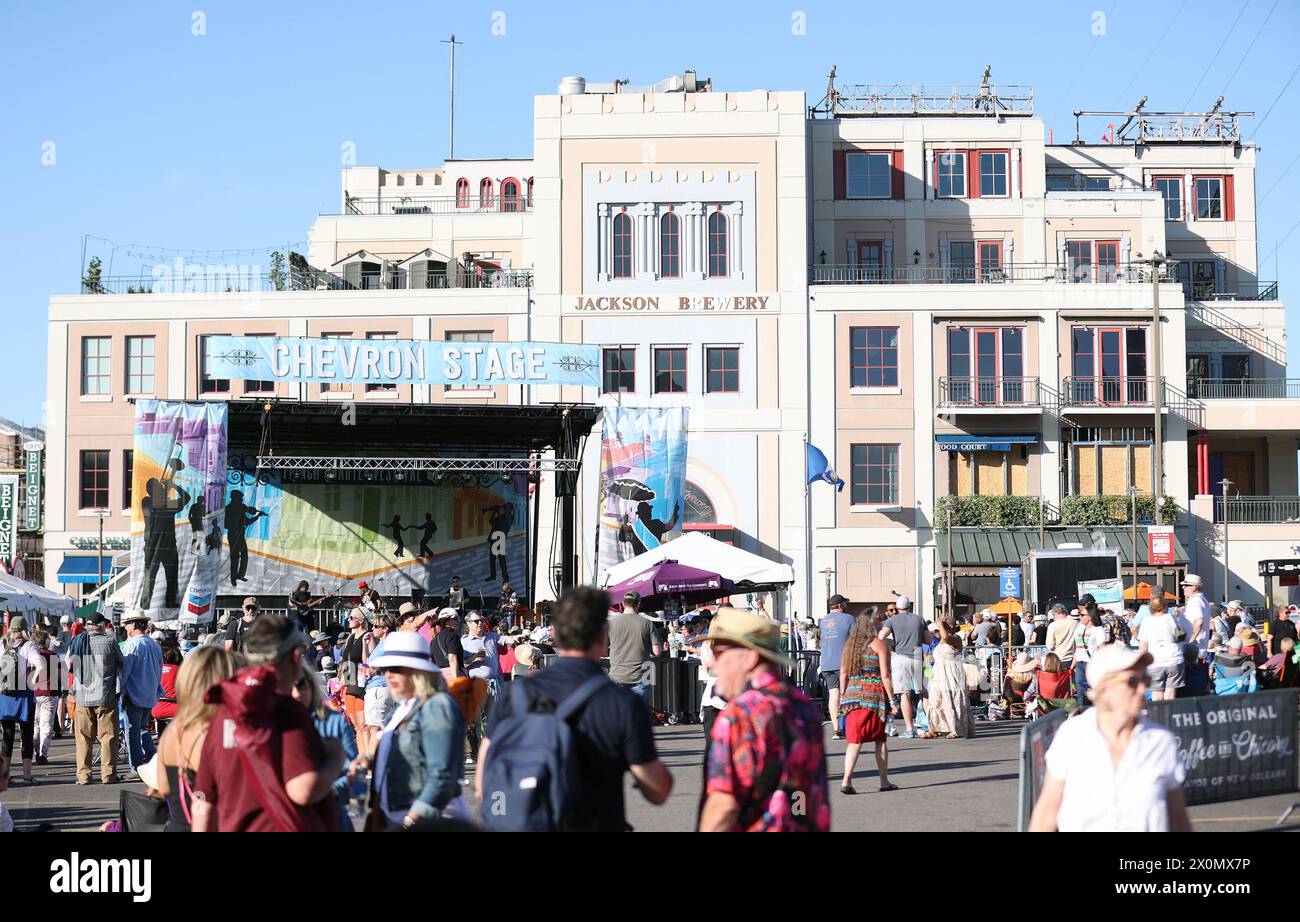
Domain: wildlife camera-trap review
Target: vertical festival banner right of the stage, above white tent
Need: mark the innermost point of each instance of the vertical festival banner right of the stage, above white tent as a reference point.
(643, 482)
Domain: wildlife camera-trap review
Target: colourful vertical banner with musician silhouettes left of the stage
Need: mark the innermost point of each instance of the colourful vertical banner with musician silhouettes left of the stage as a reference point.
(179, 492)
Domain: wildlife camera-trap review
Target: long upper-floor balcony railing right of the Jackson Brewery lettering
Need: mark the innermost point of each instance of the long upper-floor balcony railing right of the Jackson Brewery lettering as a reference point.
(1009, 274)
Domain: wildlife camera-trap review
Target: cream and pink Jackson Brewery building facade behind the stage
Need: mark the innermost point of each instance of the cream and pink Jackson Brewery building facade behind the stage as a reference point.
(959, 314)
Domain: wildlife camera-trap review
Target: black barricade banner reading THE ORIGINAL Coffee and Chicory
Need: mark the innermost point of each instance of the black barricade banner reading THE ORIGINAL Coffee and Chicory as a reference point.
(1234, 746)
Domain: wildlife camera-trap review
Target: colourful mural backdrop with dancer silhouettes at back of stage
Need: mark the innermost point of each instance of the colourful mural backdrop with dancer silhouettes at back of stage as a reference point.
(402, 538)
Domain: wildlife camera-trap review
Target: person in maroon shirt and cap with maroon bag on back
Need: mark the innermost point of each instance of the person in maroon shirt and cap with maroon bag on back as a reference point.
(265, 767)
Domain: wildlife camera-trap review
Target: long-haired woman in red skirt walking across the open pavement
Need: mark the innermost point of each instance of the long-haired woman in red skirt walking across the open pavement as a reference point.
(865, 696)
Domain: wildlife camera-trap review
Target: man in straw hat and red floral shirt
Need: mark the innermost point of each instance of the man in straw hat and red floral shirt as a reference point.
(766, 767)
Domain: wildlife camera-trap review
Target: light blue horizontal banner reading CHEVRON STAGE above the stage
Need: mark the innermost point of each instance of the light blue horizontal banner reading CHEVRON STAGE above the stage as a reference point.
(374, 362)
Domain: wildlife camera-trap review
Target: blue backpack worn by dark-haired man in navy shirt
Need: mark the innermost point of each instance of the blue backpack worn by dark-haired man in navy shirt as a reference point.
(531, 776)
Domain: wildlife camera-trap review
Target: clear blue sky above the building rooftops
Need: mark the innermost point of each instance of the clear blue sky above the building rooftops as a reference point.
(232, 138)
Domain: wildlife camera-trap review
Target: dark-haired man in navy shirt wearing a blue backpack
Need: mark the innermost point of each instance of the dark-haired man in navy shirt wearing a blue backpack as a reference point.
(560, 739)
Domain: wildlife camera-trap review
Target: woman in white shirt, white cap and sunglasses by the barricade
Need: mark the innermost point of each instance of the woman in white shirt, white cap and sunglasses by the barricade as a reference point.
(1110, 769)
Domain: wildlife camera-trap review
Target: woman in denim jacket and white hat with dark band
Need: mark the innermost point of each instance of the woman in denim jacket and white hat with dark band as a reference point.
(418, 765)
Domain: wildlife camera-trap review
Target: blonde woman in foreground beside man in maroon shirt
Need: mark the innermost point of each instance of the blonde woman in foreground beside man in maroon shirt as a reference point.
(181, 744)
